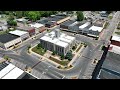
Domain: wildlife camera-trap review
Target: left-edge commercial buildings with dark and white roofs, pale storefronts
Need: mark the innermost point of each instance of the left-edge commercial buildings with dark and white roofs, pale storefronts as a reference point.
(13, 39)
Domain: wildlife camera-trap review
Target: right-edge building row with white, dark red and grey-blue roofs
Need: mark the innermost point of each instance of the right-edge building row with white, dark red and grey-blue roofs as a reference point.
(111, 67)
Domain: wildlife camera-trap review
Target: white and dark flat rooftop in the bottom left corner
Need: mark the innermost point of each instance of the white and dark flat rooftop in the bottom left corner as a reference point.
(10, 71)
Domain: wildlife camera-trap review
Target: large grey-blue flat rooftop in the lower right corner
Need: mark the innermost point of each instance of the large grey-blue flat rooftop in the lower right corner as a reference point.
(111, 66)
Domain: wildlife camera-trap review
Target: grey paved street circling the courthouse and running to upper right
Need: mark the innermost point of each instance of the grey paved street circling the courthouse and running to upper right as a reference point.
(82, 65)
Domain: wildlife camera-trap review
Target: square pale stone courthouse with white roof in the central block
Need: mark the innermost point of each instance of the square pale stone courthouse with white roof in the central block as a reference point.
(57, 41)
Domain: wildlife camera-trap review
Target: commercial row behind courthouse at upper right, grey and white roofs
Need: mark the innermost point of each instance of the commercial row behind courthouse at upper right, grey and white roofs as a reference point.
(89, 28)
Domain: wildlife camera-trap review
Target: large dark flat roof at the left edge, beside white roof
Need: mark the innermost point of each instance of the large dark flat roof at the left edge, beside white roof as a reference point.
(4, 38)
